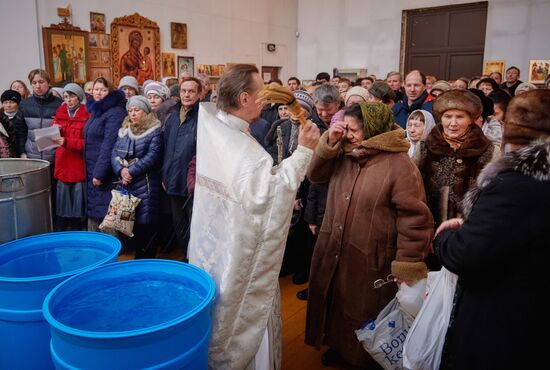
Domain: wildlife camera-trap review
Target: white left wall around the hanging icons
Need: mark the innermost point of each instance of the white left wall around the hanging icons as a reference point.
(219, 31)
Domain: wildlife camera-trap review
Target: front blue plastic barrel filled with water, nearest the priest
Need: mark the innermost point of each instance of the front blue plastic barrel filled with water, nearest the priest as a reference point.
(153, 314)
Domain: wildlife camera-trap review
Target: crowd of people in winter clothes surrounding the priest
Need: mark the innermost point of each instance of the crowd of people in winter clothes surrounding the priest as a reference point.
(398, 159)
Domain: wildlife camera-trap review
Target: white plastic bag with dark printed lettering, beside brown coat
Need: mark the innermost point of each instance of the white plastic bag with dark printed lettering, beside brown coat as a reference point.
(383, 338)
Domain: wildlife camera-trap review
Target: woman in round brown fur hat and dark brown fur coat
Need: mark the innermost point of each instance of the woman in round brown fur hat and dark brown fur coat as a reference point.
(454, 153)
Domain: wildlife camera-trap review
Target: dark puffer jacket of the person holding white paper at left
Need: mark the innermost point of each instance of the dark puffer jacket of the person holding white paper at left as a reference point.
(38, 112)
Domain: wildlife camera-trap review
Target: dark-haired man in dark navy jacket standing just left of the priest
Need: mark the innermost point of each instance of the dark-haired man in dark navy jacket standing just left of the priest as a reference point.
(180, 145)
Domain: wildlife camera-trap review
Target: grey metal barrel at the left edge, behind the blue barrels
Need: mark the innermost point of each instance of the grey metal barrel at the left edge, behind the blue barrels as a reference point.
(25, 203)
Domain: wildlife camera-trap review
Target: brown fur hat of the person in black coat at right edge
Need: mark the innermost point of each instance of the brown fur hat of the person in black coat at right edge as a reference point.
(527, 117)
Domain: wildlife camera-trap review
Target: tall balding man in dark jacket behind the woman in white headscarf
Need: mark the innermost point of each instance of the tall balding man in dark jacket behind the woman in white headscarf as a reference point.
(416, 97)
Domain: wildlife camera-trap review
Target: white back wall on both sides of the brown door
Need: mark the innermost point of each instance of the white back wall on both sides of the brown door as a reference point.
(367, 33)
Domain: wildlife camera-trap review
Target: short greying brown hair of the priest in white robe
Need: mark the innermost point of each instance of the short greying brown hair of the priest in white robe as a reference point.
(236, 80)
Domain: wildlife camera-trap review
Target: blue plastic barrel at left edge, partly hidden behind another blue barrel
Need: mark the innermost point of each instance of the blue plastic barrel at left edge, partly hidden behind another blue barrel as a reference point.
(29, 269)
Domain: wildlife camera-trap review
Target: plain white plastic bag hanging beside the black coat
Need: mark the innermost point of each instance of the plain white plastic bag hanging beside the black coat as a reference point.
(424, 344)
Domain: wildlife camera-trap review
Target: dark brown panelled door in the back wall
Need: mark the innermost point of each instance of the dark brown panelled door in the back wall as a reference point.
(447, 42)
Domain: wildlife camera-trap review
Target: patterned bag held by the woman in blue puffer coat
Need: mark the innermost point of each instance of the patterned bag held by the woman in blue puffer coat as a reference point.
(122, 212)
